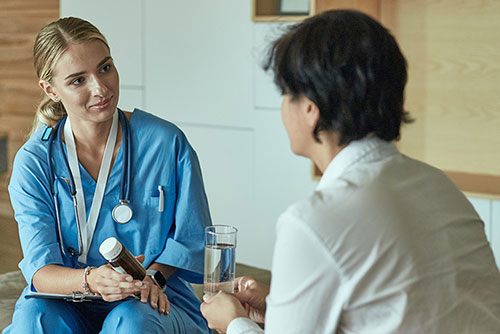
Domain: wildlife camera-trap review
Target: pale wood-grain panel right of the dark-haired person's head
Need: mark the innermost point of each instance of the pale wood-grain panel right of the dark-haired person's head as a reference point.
(453, 52)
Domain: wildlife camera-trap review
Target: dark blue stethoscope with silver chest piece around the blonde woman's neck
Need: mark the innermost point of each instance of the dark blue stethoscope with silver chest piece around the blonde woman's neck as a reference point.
(122, 213)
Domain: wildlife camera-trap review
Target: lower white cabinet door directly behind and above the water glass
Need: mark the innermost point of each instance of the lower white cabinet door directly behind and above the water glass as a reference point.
(227, 162)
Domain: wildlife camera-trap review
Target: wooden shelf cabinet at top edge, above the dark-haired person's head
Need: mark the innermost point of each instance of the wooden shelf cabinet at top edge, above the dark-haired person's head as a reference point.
(267, 10)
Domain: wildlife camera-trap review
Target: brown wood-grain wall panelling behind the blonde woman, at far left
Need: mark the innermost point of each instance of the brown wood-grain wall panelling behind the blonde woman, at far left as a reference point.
(20, 21)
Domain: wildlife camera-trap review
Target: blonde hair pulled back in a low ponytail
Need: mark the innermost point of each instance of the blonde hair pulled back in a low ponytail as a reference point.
(51, 42)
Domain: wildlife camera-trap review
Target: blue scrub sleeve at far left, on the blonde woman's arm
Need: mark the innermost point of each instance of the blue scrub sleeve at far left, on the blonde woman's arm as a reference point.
(31, 199)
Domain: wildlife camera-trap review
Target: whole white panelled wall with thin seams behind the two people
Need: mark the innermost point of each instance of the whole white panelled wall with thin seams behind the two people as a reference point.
(196, 63)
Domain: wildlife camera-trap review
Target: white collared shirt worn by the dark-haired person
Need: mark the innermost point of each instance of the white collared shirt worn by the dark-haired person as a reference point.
(386, 244)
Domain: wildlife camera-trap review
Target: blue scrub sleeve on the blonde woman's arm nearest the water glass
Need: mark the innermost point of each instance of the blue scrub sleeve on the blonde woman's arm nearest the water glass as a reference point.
(186, 243)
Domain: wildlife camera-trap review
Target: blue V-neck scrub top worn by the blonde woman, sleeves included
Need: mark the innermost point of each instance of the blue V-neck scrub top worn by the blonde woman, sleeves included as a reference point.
(160, 155)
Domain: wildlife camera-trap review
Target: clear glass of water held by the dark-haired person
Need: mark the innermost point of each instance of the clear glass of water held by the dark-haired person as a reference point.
(220, 260)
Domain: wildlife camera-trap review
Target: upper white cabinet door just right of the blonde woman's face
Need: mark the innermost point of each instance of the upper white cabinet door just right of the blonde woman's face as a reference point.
(198, 61)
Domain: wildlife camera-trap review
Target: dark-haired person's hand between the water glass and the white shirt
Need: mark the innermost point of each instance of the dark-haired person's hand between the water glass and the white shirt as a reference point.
(252, 295)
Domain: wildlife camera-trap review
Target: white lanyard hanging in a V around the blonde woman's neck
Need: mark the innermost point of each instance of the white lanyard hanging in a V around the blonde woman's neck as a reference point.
(88, 226)
